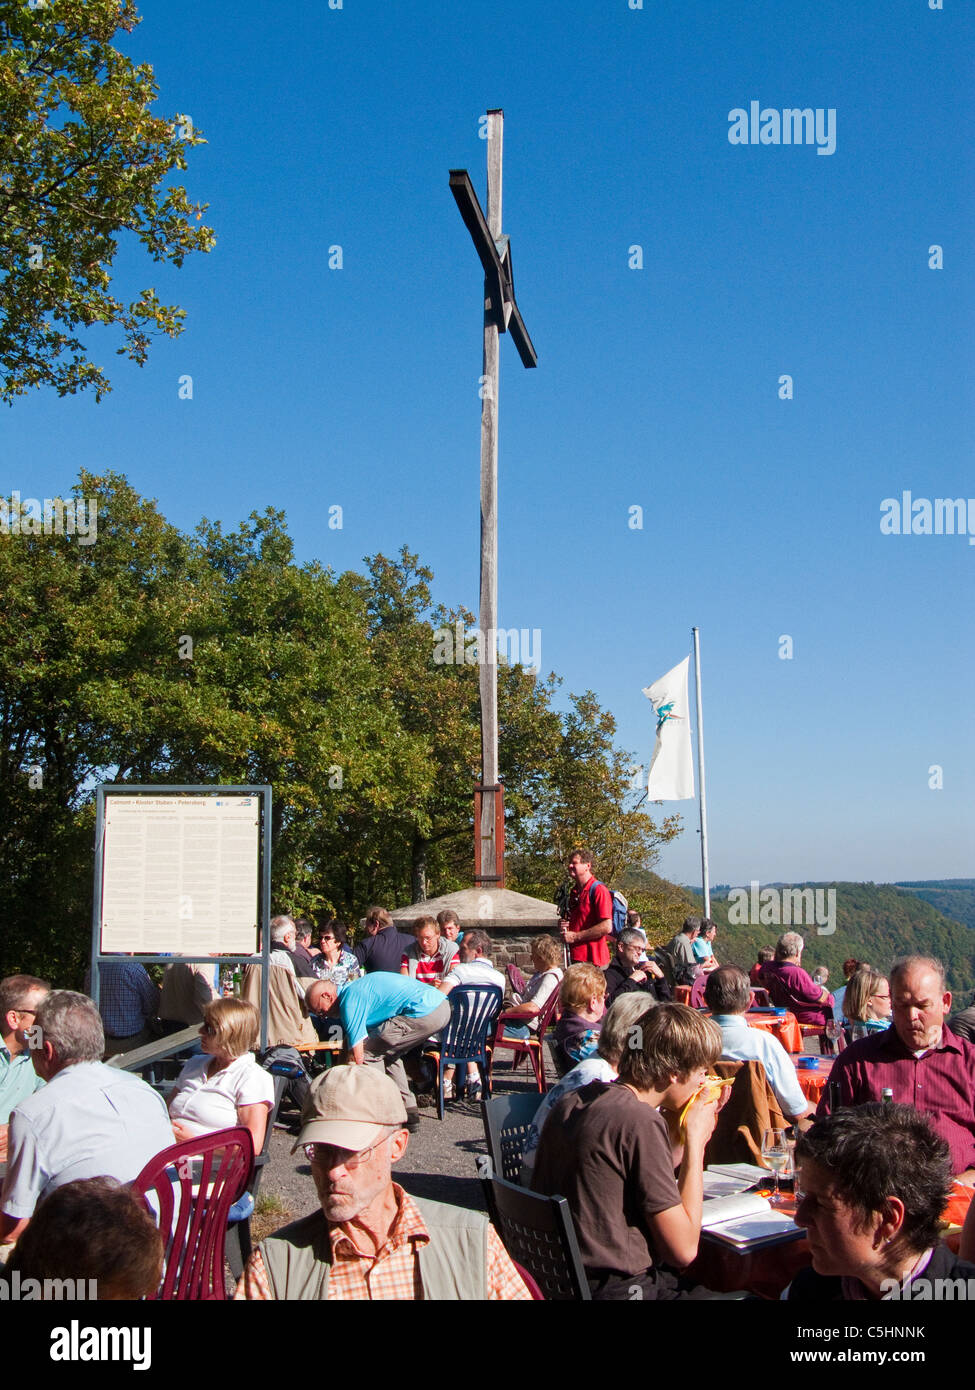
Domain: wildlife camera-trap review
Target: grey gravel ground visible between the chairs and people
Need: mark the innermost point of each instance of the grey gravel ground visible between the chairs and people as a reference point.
(439, 1163)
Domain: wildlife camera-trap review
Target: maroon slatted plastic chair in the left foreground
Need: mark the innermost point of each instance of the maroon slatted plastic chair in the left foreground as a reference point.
(194, 1186)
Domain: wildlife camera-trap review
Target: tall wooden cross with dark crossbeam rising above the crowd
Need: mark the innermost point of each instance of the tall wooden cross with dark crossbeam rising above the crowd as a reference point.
(501, 315)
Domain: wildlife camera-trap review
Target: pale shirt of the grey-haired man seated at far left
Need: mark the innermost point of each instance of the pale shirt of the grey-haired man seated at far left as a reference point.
(91, 1121)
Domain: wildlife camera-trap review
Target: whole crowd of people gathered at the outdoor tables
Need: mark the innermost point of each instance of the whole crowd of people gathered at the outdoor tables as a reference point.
(622, 1136)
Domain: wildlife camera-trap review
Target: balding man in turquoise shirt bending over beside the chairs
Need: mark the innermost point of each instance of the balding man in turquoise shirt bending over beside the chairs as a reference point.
(385, 1017)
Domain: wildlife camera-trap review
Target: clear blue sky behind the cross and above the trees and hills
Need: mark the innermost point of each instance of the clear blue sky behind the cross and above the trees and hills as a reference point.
(656, 387)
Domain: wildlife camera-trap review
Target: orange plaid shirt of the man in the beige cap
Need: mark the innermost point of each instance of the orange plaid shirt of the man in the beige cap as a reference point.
(394, 1274)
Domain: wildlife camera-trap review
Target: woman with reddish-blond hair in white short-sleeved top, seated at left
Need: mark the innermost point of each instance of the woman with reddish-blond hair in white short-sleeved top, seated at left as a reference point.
(225, 1088)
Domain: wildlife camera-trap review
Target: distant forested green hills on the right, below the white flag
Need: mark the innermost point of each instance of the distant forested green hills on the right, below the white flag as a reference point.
(874, 922)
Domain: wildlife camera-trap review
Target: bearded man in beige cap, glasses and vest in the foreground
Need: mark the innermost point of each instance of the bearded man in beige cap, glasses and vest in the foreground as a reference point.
(371, 1239)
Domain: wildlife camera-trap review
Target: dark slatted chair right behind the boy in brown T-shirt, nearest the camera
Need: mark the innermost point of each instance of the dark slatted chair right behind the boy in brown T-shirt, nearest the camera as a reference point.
(539, 1235)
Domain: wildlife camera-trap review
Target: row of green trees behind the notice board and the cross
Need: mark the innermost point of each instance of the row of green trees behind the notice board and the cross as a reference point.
(155, 657)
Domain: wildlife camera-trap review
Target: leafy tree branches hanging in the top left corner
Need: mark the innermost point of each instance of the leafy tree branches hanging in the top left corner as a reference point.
(83, 161)
